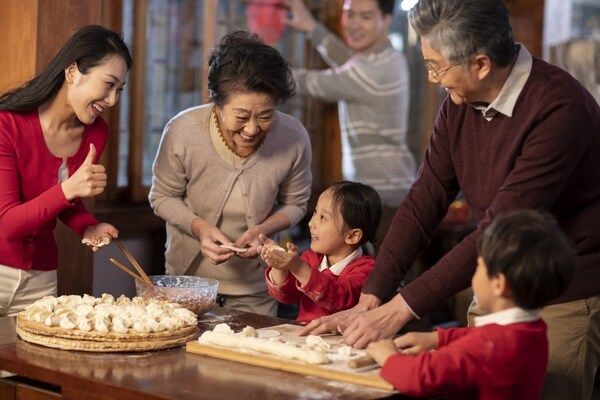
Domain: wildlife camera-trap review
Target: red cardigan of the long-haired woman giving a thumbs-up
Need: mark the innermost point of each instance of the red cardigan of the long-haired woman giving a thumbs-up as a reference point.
(30, 195)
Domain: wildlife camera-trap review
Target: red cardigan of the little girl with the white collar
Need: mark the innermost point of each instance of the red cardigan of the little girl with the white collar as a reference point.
(325, 293)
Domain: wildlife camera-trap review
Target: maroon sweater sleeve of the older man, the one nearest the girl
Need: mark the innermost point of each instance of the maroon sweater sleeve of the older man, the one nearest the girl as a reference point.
(417, 219)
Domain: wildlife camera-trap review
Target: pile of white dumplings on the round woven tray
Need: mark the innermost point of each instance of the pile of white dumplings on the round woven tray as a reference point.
(107, 314)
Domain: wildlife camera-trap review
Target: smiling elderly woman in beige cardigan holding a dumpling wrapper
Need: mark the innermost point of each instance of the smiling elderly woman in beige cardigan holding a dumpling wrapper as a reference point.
(232, 169)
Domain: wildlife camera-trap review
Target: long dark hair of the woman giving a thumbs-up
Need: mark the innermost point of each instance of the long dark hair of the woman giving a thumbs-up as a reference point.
(88, 47)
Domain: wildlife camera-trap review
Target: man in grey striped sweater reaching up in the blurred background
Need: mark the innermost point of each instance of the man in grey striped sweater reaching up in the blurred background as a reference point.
(370, 82)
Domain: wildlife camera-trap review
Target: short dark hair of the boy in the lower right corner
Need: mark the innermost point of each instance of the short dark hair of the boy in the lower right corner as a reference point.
(531, 251)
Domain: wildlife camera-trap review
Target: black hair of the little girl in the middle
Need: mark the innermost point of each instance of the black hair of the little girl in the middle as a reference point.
(359, 205)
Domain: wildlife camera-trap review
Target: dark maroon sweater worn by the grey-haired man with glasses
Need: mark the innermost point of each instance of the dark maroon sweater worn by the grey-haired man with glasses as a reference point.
(546, 156)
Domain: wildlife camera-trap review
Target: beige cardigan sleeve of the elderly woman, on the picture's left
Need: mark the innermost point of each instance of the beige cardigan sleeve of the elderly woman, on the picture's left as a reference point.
(169, 182)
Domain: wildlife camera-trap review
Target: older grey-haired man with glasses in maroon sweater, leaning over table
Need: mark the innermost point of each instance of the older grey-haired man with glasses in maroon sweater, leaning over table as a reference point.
(514, 132)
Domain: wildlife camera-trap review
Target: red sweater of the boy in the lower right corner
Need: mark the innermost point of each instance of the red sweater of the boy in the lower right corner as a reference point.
(490, 362)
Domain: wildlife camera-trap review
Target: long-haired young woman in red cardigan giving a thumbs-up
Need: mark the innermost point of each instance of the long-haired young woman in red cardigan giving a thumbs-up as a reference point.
(51, 135)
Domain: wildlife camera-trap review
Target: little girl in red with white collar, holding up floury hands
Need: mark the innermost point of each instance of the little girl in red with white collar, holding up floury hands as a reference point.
(328, 277)
